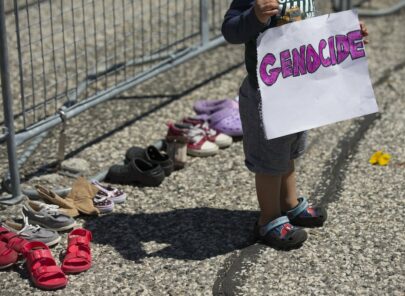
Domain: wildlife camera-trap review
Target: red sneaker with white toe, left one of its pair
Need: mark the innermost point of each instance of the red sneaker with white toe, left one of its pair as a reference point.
(197, 140)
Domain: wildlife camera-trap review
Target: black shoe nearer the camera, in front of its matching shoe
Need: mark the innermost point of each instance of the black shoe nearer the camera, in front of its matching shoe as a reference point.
(137, 171)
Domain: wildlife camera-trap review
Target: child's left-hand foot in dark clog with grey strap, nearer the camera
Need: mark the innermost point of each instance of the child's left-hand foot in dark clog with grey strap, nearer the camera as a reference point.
(280, 234)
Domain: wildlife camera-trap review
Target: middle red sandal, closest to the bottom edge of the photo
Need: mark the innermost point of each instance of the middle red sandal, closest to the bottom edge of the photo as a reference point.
(42, 268)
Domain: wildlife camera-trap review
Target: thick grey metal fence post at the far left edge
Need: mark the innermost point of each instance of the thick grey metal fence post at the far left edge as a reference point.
(8, 113)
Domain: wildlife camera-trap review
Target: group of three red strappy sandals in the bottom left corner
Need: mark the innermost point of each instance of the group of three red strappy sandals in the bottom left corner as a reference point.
(41, 265)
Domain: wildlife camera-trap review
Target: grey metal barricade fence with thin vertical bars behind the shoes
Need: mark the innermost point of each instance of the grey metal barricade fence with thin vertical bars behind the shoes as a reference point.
(58, 58)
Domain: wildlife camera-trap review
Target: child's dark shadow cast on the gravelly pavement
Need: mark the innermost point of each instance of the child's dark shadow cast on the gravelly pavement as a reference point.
(193, 234)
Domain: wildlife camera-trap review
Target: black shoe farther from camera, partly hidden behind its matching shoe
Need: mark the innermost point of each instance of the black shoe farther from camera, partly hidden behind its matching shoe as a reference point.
(151, 154)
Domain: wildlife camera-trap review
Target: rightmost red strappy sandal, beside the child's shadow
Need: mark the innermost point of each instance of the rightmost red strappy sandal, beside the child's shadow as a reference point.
(78, 253)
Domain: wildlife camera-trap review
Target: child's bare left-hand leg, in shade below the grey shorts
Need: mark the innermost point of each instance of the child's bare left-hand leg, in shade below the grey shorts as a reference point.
(268, 195)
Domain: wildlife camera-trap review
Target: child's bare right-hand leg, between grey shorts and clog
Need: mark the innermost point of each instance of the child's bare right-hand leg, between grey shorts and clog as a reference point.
(288, 193)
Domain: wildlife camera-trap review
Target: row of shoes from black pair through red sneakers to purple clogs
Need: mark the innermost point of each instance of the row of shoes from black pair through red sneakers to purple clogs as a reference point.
(216, 122)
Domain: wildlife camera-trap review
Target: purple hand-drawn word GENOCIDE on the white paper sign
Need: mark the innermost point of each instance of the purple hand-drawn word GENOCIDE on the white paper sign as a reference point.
(331, 52)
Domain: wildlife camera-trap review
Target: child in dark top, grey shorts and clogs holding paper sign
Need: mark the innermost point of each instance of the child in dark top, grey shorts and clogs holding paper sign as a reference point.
(272, 161)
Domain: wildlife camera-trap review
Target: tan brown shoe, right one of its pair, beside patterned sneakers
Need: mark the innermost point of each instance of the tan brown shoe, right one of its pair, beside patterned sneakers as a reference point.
(82, 195)
